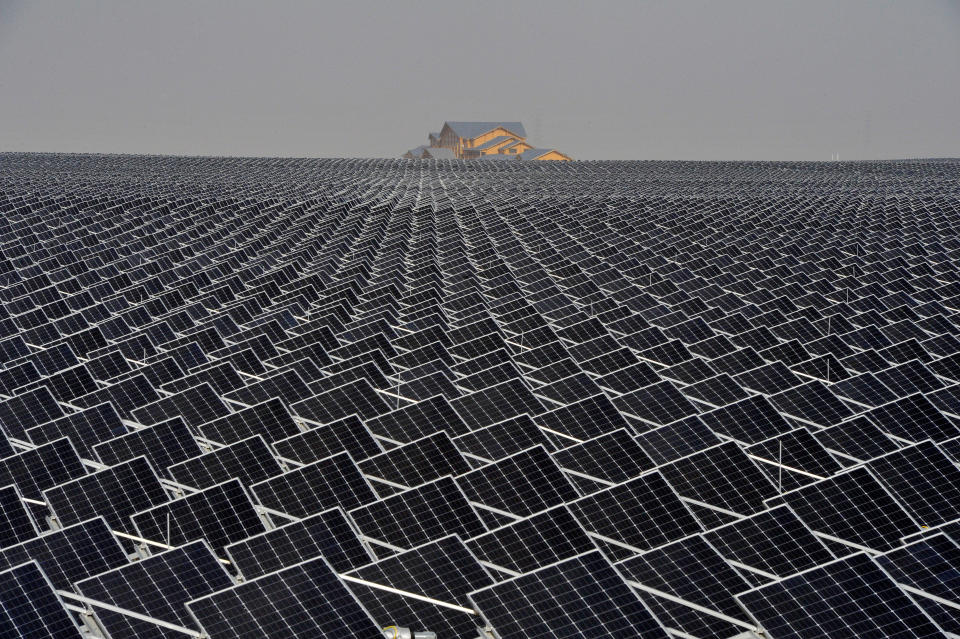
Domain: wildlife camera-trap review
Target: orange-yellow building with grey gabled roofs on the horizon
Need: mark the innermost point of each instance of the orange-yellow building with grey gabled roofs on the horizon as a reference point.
(482, 140)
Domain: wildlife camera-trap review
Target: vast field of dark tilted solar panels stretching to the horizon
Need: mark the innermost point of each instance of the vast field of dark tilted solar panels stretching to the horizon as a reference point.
(267, 397)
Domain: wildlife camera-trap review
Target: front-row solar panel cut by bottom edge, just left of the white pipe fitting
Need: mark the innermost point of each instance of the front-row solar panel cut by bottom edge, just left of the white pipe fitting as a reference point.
(307, 600)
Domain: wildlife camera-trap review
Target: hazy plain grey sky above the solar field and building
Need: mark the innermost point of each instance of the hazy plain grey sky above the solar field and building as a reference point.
(678, 79)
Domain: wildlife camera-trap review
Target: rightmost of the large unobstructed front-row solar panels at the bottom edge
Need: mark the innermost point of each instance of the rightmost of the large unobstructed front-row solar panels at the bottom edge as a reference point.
(850, 597)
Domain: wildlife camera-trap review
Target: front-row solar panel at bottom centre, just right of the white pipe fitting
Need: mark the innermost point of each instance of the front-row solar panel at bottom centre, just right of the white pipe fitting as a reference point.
(583, 596)
